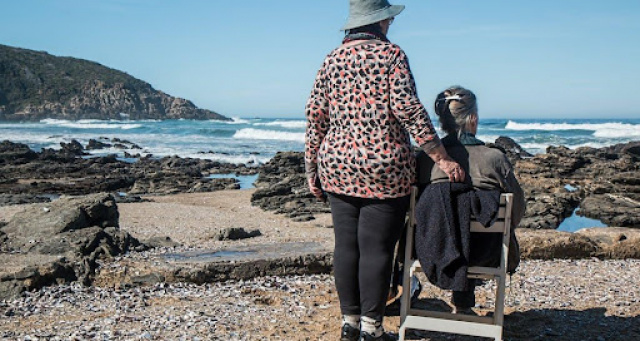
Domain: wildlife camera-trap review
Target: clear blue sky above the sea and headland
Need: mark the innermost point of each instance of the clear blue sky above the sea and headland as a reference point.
(523, 59)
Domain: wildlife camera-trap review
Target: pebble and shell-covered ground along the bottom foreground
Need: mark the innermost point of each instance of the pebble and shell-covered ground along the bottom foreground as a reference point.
(264, 308)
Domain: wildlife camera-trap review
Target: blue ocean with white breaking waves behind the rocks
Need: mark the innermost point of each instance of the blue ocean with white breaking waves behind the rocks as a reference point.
(256, 140)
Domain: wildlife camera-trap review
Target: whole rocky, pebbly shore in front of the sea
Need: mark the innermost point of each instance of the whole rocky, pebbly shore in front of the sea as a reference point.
(103, 247)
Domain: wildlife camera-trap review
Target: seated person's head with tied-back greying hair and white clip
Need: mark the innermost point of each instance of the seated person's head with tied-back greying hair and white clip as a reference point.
(457, 111)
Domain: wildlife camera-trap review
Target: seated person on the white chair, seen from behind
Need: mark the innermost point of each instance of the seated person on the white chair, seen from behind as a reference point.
(487, 169)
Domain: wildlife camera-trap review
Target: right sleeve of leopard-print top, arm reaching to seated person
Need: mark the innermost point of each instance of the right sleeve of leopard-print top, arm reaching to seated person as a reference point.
(406, 105)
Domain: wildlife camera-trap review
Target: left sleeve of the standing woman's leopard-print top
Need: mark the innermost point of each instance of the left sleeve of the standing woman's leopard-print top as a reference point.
(317, 115)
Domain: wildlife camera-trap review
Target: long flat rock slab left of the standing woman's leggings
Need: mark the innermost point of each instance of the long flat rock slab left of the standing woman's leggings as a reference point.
(206, 266)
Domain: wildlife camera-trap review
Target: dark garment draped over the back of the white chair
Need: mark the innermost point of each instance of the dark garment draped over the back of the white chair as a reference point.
(443, 239)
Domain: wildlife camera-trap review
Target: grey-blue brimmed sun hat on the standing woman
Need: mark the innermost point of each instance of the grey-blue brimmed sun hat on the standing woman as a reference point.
(366, 12)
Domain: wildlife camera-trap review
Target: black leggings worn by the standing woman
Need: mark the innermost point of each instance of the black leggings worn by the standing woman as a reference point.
(366, 231)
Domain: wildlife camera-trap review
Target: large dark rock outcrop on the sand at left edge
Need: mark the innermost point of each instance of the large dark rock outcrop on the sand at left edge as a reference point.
(60, 242)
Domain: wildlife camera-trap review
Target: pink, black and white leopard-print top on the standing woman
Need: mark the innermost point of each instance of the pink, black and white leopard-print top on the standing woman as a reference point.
(362, 110)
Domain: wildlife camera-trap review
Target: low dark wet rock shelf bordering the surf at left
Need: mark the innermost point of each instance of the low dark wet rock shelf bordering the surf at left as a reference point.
(29, 177)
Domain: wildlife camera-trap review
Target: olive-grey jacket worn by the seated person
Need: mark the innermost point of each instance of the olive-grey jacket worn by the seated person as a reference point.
(487, 169)
